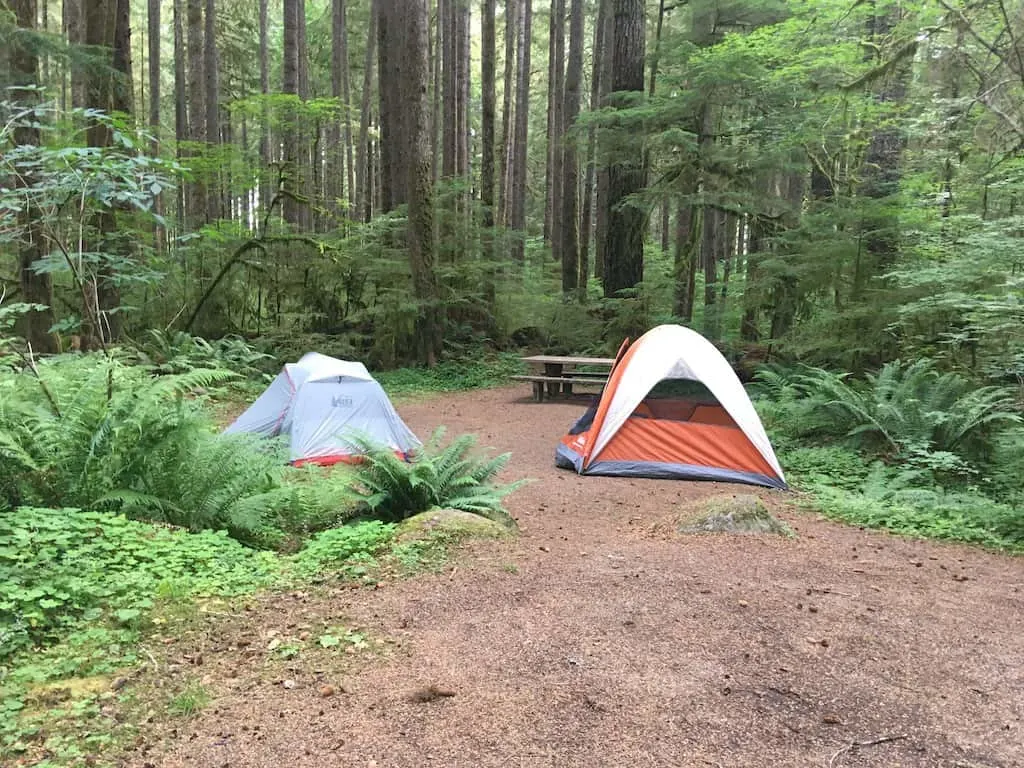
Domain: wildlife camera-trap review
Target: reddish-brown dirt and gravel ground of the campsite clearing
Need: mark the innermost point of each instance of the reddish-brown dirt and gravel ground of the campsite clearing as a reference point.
(599, 639)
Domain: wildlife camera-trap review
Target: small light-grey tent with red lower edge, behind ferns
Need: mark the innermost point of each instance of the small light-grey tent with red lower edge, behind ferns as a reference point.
(319, 402)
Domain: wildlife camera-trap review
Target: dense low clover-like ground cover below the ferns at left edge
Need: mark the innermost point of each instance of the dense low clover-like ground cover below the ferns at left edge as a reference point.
(62, 568)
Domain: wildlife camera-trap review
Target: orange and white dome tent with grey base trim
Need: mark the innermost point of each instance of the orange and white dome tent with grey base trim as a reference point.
(673, 409)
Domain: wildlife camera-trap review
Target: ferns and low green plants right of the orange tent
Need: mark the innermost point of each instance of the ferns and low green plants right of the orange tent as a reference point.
(911, 449)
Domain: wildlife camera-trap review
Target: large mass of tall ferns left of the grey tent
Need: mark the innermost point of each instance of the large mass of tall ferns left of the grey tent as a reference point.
(96, 434)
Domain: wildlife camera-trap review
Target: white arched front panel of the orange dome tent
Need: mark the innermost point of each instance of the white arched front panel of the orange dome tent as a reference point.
(677, 353)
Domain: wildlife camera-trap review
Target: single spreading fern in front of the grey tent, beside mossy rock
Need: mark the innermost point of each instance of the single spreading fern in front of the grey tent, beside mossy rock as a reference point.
(434, 478)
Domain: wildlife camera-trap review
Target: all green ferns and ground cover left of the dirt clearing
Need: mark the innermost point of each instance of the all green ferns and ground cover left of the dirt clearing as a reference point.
(123, 509)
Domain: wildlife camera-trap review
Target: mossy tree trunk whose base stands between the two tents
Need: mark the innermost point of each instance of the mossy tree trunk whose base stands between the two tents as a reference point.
(413, 15)
